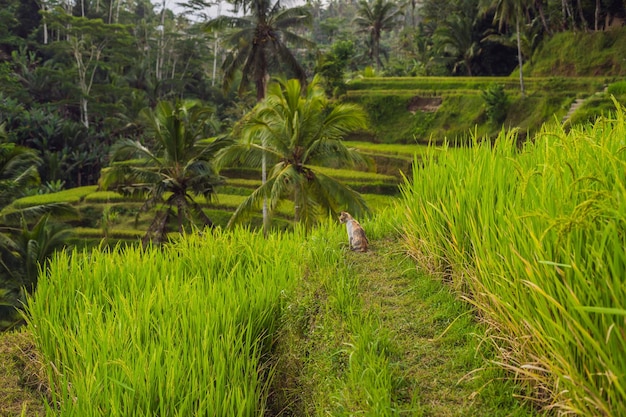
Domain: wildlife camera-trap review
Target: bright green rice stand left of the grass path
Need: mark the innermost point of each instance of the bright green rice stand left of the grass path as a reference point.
(182, 330)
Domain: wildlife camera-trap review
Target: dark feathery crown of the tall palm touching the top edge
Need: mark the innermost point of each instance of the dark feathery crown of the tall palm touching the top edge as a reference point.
(260, 40)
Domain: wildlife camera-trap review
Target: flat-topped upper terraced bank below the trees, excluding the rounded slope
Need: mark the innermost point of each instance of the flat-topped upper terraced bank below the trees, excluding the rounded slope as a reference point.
(424, 109)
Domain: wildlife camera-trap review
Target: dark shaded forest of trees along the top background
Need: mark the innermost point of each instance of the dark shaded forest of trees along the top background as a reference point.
(75, 74)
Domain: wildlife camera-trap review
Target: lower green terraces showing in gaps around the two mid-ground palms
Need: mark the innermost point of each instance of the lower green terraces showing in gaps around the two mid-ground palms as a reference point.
(112, 217)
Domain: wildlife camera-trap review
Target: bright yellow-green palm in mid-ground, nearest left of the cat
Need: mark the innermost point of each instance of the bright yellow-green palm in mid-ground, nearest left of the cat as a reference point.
(300, 131)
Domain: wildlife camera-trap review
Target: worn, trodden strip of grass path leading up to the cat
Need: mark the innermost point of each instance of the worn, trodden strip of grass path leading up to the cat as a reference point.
(436, 338)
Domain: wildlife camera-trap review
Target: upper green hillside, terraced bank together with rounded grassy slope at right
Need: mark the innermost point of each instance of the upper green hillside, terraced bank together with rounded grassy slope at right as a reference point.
(567, 67)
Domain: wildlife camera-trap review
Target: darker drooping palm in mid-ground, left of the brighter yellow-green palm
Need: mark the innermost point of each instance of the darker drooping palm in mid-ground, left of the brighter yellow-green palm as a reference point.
(177, 169)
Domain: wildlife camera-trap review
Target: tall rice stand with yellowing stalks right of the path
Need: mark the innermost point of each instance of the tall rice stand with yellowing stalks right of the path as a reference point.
(534, 237)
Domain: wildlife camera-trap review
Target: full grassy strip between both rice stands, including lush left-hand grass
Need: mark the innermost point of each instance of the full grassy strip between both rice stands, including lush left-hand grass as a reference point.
(377, 338)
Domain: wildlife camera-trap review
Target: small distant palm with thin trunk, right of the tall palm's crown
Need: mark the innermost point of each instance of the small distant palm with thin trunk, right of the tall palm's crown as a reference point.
(374, 18)
